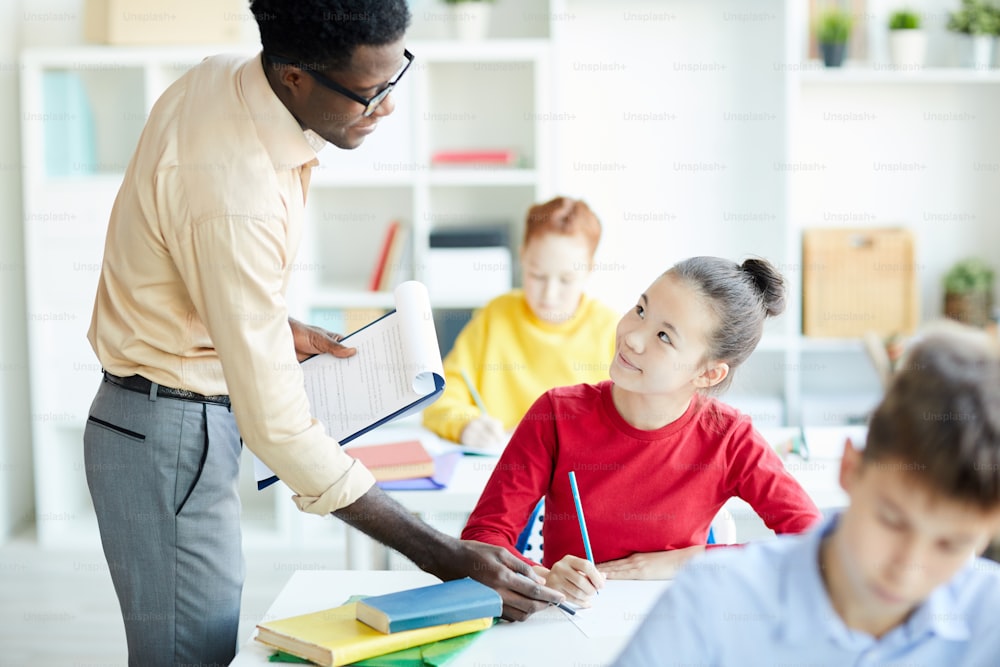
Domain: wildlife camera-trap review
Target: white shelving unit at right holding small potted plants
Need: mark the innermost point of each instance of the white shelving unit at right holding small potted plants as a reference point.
(899, 147)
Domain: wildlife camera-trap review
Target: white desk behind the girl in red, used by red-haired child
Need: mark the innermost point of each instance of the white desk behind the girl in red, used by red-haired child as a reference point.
(818, 475)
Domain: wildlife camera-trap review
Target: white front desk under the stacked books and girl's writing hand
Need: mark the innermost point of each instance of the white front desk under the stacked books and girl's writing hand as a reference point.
(594, 636)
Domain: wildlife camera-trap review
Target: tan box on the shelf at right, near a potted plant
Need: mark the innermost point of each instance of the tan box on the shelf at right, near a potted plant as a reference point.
(857, 281)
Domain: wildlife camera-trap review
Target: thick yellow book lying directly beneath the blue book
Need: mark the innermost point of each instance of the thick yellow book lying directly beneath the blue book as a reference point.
(335, 637)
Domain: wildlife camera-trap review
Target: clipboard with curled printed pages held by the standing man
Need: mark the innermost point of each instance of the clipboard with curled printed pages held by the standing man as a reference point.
(396, 371)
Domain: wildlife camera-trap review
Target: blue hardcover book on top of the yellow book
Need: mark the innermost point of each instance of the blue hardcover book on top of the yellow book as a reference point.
(449, 602)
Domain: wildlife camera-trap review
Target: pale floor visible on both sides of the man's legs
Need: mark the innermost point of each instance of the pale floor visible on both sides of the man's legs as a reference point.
(58, 607)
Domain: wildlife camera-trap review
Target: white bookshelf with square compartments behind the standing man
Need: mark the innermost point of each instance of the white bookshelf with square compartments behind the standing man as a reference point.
(352, 197)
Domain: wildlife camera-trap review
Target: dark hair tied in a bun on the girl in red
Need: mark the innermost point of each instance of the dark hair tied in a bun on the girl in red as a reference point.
(741, 296)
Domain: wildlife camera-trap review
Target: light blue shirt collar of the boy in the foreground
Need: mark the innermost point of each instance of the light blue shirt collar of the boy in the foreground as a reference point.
(802, 590)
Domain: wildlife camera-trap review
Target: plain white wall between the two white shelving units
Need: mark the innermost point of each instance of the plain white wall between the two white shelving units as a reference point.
(671, 117)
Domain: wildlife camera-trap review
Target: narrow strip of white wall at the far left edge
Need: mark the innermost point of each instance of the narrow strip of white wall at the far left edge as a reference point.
(16, 488)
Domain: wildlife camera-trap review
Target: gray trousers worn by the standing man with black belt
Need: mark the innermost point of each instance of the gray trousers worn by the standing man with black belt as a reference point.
(163, 474)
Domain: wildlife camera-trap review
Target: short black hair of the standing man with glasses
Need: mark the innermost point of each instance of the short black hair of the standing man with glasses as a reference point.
(324, 33)
